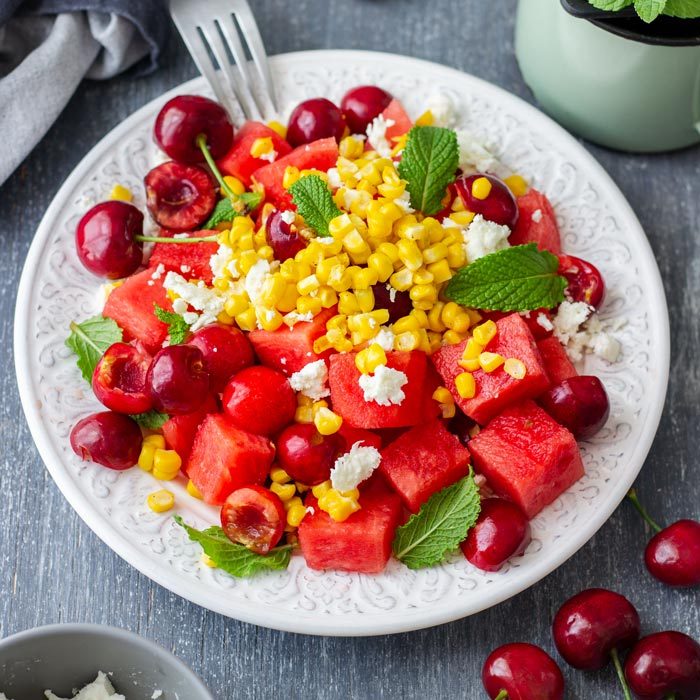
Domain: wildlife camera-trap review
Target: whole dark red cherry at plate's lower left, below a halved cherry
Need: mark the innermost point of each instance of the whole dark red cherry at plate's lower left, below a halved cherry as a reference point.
(110, 439)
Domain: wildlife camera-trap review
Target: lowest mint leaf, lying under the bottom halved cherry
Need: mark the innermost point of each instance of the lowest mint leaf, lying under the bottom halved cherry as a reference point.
(236, 559)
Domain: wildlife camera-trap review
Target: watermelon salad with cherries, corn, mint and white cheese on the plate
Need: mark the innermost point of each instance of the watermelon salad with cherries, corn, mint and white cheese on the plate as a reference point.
(355, 336)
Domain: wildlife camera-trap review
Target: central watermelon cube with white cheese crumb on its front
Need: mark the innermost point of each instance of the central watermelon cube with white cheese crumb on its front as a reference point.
(348, 398)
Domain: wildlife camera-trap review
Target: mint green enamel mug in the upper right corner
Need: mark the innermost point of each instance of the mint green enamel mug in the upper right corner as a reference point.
(609, 83)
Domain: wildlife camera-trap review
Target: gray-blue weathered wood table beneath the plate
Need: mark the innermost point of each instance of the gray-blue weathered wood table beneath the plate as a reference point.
(53, 569)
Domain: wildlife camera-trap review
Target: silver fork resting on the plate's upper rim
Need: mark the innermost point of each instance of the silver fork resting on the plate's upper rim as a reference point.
(213, 28)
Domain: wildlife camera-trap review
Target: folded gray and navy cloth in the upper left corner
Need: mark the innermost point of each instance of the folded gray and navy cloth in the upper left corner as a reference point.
(48, 46)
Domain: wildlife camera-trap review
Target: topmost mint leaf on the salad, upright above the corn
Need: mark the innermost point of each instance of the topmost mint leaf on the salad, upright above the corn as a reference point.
(429, 164)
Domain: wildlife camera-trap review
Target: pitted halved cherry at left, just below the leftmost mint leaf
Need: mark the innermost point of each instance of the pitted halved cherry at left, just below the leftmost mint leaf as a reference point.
(119, 379)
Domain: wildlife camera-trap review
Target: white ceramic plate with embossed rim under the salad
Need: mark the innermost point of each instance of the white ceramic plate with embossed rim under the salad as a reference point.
(597, 224)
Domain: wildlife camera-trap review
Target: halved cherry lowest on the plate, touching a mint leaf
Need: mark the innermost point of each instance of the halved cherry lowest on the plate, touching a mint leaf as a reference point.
(254, 517)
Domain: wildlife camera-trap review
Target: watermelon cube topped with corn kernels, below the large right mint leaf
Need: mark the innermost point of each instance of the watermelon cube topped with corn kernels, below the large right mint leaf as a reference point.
(496, 390)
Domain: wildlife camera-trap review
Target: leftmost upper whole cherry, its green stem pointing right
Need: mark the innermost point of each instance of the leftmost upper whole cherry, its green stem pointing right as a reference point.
(105, 239)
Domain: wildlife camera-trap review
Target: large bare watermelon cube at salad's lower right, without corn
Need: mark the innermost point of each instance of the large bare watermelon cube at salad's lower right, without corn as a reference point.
(527, 457)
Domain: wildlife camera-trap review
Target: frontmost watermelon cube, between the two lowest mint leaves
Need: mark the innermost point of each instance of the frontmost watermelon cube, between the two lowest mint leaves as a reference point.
(362, 543)
